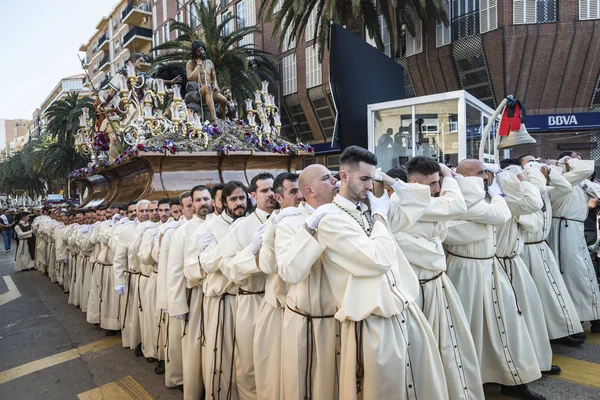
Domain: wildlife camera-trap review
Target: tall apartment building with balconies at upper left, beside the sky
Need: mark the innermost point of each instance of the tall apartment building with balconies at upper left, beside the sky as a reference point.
(125, 31)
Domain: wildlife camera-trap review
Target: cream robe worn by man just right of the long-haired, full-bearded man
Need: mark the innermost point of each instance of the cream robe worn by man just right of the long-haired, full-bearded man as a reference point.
(240, 265)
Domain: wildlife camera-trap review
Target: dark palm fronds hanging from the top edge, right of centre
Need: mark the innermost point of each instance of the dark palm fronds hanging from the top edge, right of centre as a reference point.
(294, 17)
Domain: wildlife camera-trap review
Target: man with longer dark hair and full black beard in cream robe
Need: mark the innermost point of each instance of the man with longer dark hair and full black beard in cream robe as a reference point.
(218, 335)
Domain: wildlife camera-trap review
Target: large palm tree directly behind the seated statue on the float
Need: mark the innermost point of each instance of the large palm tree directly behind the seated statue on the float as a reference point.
(240, 67)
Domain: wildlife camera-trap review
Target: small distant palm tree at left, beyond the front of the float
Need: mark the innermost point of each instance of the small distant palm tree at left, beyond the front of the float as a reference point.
(63, 116)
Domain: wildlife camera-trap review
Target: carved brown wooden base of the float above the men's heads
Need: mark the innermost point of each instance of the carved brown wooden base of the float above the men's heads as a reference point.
(154, 176)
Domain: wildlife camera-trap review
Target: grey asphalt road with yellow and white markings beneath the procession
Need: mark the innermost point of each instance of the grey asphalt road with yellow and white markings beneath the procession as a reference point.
(49, 351)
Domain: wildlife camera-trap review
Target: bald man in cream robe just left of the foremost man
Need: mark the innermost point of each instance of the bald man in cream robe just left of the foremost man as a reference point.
(308, 329)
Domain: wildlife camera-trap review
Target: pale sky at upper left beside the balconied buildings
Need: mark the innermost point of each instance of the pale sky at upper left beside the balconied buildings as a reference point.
(39, 44)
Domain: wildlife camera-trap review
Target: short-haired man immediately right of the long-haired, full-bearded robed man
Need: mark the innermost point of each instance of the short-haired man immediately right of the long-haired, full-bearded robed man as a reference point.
(239, 264)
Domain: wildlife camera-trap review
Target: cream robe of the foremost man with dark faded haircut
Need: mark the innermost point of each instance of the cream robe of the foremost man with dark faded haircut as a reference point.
(375, 290)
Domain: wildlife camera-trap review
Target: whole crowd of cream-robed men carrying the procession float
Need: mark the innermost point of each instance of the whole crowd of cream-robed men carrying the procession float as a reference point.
(310, 286)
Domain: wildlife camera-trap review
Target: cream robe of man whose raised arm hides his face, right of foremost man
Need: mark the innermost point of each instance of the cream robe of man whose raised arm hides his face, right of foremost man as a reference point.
(421, 243)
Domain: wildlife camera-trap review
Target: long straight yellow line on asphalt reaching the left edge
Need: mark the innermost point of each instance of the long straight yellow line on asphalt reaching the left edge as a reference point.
(50, 361)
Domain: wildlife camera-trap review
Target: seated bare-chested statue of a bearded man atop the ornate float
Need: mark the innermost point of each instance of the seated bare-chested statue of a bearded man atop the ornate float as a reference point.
(202, 70)
